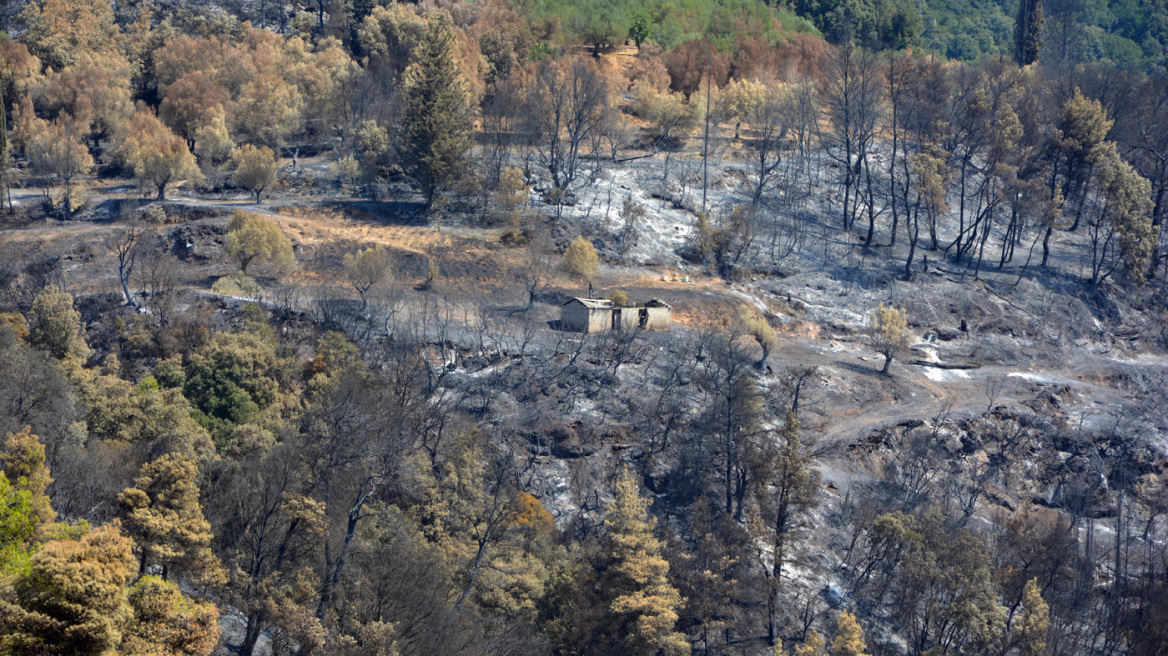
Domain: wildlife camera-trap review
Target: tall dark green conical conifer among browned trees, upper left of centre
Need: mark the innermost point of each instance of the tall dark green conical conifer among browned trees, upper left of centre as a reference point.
(436, 121)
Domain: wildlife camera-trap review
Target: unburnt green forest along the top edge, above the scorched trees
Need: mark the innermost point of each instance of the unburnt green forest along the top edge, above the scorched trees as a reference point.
(1129, 34)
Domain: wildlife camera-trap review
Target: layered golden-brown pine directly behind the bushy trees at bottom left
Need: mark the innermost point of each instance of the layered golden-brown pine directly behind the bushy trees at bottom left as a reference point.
(162, 513)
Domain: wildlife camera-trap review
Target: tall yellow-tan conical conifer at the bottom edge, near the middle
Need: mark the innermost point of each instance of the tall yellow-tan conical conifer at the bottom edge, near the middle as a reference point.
(642, 598)
